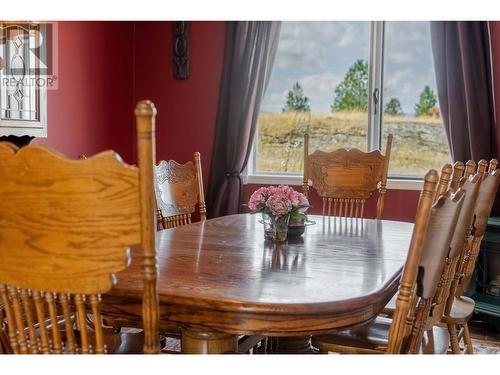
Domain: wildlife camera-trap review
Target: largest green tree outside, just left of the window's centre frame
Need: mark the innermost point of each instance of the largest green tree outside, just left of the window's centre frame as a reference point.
(352, 93)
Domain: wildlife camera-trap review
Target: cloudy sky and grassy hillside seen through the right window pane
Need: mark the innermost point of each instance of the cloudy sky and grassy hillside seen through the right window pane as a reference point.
(411, 111)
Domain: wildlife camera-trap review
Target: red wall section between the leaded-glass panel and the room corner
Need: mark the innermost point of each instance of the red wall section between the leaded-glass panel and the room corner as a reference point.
(92, 109)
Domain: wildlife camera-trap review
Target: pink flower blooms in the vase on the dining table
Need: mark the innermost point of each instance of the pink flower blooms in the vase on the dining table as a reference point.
(279, 201)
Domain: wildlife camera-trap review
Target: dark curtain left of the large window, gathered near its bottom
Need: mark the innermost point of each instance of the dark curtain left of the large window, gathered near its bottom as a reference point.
(250, 50)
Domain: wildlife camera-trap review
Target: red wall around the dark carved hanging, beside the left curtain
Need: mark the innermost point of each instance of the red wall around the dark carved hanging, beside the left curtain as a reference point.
(187, 109)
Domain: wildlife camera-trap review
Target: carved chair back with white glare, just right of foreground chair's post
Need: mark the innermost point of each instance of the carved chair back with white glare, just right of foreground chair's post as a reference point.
(178, 188)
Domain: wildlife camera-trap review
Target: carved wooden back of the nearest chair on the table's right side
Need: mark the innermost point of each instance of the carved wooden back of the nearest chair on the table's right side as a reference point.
(429, 246)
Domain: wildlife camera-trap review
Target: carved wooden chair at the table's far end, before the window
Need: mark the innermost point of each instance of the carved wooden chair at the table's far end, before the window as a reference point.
(345, 179)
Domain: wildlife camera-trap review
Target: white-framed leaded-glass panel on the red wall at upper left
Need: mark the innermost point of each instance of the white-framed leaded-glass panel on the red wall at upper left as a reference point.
(22, 90)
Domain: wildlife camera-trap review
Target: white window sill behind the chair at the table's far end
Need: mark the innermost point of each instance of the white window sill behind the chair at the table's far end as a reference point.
(296, 180)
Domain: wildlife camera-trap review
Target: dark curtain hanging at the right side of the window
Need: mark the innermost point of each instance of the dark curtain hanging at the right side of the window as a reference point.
(462, 63)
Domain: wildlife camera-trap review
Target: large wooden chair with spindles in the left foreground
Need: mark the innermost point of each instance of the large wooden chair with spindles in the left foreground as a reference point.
(61, 244)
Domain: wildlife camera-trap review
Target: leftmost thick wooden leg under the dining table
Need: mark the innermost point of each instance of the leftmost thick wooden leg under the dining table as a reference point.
(200, 342)
